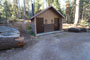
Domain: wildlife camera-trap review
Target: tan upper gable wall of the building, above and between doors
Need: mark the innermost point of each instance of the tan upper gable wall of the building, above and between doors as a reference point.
(49, 15)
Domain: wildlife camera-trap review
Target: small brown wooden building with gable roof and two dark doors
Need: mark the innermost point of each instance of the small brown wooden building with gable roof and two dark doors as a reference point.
(48, 20)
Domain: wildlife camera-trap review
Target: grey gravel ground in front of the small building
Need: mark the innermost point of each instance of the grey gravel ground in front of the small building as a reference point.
(60, 46)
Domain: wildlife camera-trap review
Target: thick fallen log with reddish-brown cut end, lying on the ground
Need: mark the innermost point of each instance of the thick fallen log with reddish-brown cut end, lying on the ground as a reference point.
(6, 43)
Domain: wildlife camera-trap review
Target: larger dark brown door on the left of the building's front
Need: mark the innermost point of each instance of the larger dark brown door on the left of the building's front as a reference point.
(39, 25)
